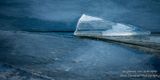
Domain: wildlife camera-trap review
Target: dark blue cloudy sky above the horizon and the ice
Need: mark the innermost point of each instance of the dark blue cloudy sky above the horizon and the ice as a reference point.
(57, 15)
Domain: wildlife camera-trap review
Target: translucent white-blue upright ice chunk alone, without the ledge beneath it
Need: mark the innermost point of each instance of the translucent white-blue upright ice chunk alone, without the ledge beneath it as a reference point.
(89, 25)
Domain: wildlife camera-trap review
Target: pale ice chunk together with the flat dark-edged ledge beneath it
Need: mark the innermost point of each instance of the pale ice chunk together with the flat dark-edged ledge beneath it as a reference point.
(95, 27)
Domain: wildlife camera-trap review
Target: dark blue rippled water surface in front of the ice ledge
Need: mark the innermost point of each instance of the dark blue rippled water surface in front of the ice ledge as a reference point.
(62, 56)
